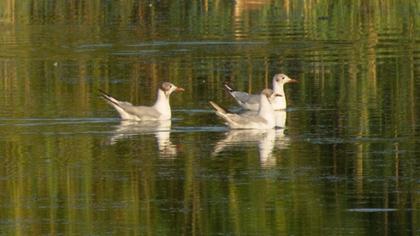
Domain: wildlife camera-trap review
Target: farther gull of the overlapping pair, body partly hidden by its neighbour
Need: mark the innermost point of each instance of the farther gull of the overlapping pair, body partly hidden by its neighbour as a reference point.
(251, 101)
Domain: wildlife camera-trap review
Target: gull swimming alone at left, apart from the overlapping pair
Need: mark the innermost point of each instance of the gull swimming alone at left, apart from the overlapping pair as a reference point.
(161, 110)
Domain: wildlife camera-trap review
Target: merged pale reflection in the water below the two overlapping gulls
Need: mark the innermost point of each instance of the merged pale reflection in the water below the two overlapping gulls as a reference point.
(265, 140)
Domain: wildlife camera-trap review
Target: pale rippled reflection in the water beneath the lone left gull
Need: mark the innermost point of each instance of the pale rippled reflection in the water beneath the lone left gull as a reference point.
(161, 130)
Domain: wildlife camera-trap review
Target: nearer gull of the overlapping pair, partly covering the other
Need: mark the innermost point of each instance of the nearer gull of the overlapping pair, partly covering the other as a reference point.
(263, 119)
